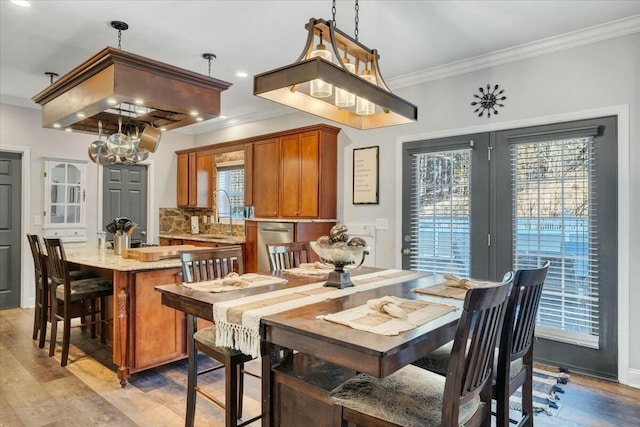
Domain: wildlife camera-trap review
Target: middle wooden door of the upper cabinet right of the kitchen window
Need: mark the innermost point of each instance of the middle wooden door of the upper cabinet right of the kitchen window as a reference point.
(290, 176)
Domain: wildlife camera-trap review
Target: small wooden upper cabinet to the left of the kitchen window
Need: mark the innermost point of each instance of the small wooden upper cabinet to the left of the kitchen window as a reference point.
(195, 178)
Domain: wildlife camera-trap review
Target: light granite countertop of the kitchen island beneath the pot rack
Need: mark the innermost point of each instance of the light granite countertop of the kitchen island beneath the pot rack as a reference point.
(88, 254)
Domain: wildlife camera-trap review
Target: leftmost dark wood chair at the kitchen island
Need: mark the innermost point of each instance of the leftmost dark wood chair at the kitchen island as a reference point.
(41, 281)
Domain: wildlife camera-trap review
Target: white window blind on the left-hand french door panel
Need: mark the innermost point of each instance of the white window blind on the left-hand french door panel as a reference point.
(439, 212)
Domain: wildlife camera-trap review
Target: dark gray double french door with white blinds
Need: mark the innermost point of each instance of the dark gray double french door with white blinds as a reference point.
(481, 205)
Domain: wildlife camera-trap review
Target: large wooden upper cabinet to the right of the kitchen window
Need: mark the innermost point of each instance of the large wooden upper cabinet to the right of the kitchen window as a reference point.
(295, 174)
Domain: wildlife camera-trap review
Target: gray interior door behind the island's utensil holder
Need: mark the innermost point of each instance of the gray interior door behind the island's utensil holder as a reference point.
(125, 194)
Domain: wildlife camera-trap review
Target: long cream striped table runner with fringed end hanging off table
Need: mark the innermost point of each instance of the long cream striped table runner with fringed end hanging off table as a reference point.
(238, 321)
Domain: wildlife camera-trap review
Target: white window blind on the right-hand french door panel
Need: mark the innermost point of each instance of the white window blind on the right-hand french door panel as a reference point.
(553, 202)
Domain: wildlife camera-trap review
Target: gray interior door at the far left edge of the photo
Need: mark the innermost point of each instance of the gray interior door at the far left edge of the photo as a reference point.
(10, 242)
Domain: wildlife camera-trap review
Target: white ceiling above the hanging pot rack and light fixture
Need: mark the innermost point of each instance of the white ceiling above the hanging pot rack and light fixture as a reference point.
(257, 36)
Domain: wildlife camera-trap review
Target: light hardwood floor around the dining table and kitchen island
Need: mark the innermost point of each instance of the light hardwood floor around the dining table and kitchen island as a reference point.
(36, 391)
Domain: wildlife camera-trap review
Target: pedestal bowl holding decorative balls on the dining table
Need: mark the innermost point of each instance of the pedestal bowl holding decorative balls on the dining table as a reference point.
(339, 257)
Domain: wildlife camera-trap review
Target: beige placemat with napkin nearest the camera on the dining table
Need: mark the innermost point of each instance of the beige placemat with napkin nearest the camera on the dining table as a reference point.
(367, 318)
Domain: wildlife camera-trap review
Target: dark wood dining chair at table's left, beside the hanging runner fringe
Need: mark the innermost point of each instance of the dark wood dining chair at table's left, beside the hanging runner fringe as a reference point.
(202, 265)
